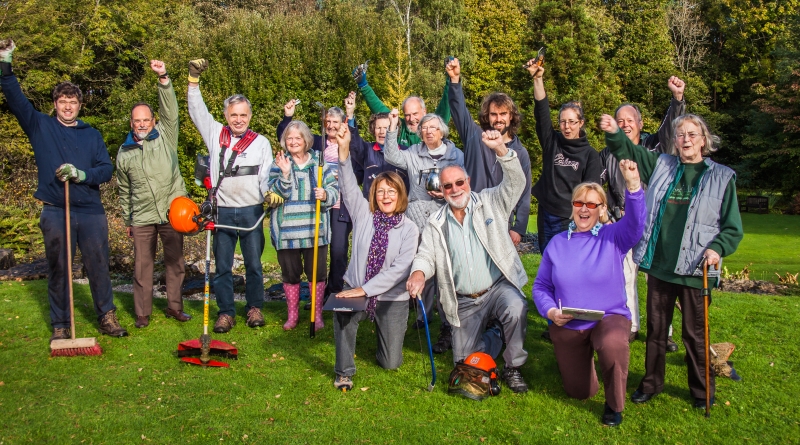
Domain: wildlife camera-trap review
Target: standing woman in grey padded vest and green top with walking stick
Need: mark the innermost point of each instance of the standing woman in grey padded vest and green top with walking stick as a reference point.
(692, 216)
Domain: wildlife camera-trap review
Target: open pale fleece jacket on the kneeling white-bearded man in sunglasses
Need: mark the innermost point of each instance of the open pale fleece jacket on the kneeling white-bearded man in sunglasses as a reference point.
(492, 209)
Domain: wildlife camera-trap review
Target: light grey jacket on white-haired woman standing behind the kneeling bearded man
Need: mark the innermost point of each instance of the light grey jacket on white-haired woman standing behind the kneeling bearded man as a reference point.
(420, 204)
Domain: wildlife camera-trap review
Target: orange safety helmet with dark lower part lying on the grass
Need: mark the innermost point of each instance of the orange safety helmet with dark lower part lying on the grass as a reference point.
(475, 377)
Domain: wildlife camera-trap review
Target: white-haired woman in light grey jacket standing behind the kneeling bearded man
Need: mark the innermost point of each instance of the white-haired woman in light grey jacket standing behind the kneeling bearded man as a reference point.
(423, 162)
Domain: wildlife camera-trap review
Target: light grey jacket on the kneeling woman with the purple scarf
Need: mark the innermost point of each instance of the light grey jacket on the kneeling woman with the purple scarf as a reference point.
(390, 283)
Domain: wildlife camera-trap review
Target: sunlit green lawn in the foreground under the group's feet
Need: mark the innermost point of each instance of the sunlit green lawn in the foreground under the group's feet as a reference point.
(280, 390)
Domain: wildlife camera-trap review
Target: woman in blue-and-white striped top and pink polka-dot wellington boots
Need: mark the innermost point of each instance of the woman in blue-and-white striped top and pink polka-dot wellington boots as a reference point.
(293, 177)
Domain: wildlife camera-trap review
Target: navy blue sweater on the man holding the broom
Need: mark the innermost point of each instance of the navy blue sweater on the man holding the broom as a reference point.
(55, 144)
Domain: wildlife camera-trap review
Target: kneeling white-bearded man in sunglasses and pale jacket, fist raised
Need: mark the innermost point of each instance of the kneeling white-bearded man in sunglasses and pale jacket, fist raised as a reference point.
(480, 276)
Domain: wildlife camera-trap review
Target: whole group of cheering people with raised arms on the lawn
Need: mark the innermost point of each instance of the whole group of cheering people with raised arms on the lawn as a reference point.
(431, 221)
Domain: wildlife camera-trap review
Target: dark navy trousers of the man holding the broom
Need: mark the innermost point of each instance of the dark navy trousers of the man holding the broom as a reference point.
(90, 233)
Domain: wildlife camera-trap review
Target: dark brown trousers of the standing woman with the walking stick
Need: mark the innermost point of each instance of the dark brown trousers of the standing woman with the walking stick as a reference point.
(660, 308)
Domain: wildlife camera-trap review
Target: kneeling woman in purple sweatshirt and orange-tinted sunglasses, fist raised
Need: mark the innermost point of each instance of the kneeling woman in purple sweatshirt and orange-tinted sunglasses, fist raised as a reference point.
(582, 268)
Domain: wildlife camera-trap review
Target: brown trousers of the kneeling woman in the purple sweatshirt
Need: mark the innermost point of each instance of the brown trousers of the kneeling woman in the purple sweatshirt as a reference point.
(575, 356)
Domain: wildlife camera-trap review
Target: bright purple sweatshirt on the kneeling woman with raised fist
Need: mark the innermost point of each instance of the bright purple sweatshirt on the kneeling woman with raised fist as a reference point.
(586, 271)
